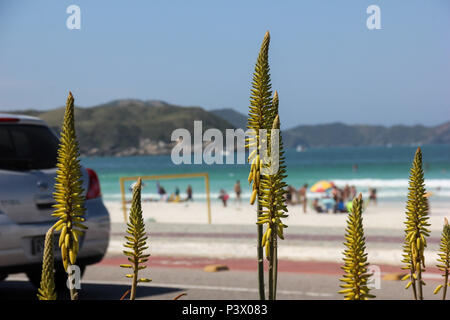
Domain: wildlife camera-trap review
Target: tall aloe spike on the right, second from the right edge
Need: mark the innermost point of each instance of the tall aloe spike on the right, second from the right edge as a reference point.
(416, 228)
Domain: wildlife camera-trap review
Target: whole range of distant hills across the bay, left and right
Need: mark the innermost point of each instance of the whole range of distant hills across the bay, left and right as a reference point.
(130, 126)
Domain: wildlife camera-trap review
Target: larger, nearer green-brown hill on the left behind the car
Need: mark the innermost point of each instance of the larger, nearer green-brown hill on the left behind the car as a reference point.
(129, 127)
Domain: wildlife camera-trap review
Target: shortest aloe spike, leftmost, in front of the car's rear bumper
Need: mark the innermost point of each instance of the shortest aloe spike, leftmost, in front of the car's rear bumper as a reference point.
(47, 289)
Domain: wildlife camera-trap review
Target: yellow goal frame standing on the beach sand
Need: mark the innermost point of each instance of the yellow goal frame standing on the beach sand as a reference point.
(204, 175)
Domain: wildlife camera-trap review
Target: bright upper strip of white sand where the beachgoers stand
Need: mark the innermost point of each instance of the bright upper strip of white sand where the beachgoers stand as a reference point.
(386, 215)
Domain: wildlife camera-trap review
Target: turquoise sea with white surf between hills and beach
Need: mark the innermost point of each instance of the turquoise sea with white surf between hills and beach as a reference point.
(383, 168)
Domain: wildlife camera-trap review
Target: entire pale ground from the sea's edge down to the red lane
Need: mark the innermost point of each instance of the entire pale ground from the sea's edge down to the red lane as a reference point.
(181, 229)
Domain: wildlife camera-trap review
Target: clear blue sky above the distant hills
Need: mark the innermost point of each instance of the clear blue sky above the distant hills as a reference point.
(326, 65)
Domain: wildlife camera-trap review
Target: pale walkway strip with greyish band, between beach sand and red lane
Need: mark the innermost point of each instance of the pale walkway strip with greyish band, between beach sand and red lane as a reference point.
(239, 241)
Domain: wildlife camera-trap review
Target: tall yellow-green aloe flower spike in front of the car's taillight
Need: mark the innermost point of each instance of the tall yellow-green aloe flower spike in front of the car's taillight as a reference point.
(68, 193)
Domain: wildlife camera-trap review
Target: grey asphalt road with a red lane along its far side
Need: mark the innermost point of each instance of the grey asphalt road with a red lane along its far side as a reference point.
(173, 276)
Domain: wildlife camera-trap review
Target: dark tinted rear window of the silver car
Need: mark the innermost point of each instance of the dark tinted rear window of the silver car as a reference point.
(27, 147)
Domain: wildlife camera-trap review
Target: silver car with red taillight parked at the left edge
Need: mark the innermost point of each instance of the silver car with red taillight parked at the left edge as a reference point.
(28, 152)
